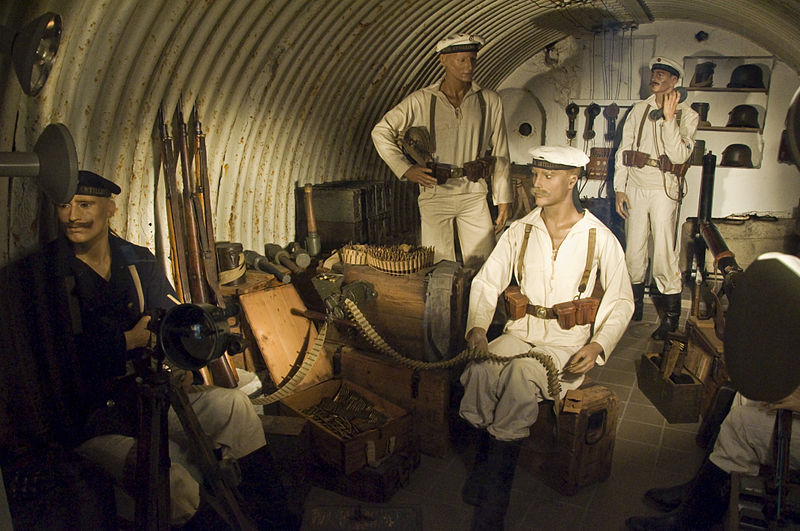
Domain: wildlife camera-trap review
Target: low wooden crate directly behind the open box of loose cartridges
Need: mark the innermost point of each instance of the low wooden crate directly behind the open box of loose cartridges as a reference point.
(426, 394)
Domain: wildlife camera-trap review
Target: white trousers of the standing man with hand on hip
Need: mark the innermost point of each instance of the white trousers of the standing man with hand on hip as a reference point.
(473, 222)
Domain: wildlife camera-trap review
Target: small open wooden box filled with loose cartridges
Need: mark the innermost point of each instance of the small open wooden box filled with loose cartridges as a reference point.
(348, 455)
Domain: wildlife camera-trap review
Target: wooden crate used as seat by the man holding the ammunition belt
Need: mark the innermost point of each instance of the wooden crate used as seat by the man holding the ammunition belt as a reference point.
(582, 452)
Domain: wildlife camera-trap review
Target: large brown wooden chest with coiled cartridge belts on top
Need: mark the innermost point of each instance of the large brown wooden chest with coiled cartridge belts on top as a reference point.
(398, 312)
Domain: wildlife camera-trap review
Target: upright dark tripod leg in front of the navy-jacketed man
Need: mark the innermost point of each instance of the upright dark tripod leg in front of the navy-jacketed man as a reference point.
(152, 456)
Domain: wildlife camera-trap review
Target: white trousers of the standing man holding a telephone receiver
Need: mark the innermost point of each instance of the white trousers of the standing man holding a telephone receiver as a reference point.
(652, 212)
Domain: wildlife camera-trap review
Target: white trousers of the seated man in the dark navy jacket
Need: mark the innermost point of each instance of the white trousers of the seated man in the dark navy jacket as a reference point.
(226, 416)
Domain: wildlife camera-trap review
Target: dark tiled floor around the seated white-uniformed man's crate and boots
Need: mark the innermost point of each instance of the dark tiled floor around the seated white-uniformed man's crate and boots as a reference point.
(648, 452)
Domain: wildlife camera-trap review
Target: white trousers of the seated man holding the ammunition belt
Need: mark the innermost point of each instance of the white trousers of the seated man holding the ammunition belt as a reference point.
(503, 398)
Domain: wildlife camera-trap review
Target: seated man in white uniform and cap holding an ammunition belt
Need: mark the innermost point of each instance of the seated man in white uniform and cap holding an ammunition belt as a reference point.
(501, 400)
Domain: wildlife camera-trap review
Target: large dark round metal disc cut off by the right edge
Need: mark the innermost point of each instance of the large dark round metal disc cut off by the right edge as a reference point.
(762, 329)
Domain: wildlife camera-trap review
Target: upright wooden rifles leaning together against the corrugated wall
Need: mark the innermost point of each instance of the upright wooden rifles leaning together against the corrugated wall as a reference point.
(191, 228)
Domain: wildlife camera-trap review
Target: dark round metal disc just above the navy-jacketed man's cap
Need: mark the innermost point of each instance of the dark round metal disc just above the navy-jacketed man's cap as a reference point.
(58, 163)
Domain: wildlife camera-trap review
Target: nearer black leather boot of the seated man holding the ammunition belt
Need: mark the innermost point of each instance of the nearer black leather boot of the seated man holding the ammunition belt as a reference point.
(501, 463)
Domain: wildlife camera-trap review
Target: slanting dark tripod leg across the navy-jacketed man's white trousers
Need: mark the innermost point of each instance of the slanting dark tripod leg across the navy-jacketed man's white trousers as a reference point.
(203, 451)
